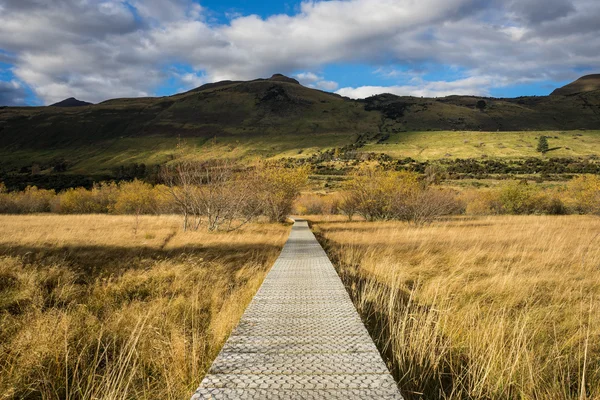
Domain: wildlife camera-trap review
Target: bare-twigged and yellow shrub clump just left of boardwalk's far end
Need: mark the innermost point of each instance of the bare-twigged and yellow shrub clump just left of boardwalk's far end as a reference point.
(226, 196)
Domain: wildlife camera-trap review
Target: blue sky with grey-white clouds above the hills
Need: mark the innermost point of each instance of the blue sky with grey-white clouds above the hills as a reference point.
(101, 49)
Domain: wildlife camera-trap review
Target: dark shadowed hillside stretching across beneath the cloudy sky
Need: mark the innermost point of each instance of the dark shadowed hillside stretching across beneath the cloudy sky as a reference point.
(266, 118)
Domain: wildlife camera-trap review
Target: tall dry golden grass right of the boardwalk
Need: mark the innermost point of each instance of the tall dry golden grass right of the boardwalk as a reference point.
(485, 308)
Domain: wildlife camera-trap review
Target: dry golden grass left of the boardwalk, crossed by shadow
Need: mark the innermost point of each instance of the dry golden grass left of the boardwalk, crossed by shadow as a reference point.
(91, 310)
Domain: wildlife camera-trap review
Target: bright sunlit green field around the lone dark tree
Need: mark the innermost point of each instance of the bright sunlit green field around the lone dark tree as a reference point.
(511, 145)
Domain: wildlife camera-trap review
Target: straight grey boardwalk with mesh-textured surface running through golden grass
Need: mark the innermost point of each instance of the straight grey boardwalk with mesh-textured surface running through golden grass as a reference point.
(300, 337)
